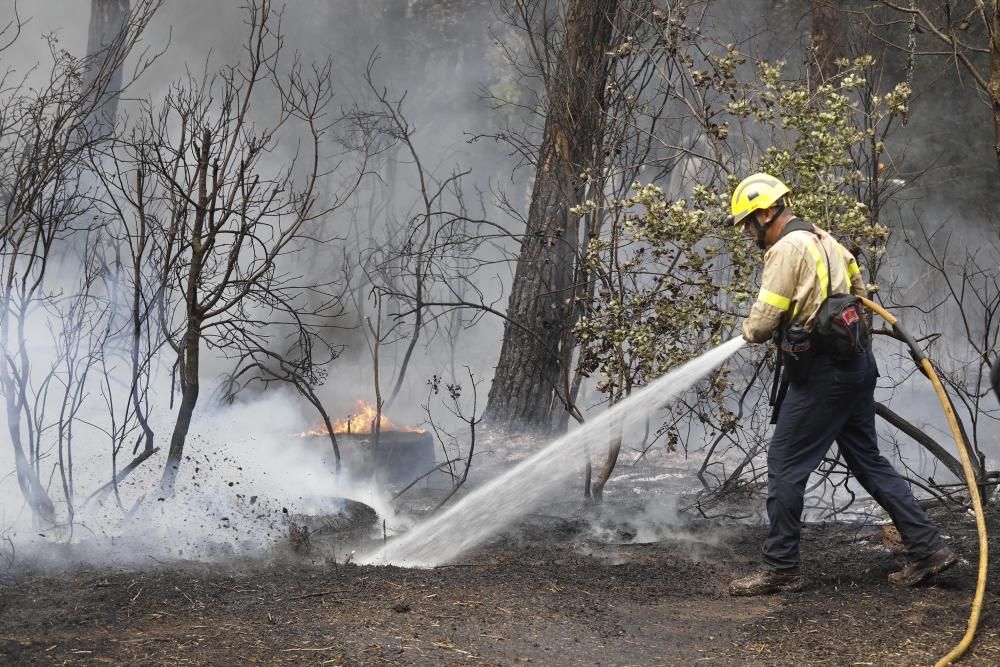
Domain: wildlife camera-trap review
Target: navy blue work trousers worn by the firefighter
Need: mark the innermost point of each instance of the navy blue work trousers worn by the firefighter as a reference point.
(835, 403)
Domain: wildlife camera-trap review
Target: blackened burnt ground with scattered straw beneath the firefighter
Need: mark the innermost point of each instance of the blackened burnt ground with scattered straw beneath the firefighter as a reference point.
(547, 593)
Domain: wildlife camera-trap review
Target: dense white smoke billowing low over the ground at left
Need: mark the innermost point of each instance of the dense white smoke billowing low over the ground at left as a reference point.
(246, 478)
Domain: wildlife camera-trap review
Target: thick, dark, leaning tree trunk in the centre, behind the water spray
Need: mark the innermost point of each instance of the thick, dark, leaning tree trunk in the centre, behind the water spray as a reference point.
(526, 390)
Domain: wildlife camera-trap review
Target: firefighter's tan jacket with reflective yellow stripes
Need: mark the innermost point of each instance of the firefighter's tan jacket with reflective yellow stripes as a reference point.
(794, 284)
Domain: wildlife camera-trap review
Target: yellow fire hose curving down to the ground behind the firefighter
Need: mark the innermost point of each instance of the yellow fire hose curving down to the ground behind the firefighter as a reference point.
(970, 480)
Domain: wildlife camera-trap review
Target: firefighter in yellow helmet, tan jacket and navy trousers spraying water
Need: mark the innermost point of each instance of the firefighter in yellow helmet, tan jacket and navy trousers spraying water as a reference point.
(826, 399)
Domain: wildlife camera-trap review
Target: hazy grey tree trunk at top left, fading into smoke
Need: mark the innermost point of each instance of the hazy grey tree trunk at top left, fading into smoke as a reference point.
(104, 42)
